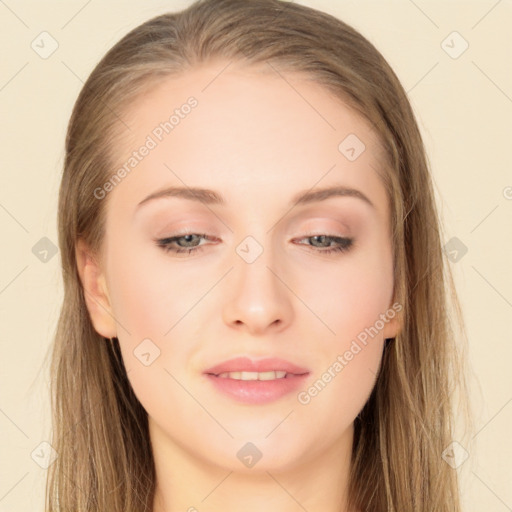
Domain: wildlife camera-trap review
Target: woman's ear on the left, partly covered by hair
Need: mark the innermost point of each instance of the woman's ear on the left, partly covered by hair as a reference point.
(95, 291)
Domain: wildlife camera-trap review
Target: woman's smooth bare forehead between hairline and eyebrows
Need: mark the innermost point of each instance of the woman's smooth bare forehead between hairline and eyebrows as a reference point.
(253, 131)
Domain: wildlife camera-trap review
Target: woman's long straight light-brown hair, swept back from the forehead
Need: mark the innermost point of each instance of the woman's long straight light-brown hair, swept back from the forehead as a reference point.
(100, 429)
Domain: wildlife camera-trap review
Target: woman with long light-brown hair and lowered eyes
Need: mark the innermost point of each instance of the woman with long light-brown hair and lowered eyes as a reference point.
(255, 308)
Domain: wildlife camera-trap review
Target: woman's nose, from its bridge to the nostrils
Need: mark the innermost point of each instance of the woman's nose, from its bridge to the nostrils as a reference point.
(258, 298)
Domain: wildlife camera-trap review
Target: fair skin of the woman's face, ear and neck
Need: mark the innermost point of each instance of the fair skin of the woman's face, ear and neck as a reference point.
(257, 141)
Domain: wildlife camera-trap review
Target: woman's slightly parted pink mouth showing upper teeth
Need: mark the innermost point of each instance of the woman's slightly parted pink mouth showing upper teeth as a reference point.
(256, 381)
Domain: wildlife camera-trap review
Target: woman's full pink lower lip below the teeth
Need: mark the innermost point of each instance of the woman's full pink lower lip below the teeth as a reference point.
(257, 391)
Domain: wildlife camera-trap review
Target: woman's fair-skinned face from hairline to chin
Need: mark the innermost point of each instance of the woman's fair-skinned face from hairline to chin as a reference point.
(266, 281)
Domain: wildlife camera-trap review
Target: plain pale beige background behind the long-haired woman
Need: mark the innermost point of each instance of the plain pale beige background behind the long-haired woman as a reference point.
(463, 105)
